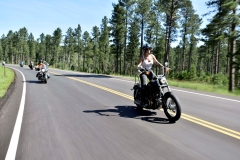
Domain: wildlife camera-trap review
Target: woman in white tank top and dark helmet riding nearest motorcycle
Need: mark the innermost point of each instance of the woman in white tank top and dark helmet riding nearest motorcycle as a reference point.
(146, 60)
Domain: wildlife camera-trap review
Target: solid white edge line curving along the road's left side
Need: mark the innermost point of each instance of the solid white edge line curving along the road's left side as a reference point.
(12, 149)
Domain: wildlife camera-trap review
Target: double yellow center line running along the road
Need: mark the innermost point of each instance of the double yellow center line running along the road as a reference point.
(201, 122)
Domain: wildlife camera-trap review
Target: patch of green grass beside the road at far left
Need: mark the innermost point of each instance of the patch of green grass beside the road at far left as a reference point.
(6, 80)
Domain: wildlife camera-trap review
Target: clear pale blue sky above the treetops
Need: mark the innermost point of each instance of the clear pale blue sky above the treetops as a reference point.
(44, 16)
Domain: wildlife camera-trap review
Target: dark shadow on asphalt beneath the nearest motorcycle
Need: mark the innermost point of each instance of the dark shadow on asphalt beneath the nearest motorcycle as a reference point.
(131, 112)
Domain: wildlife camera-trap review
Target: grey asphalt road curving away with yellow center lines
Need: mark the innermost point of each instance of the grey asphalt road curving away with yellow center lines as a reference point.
(87, 116)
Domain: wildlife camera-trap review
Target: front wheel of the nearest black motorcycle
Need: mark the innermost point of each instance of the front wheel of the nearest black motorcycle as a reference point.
(171, 107)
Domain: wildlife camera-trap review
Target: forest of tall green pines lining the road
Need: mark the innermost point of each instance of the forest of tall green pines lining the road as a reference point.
(114, 46)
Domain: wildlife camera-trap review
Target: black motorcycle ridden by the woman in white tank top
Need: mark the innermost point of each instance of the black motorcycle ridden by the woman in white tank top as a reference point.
(156, 97)
